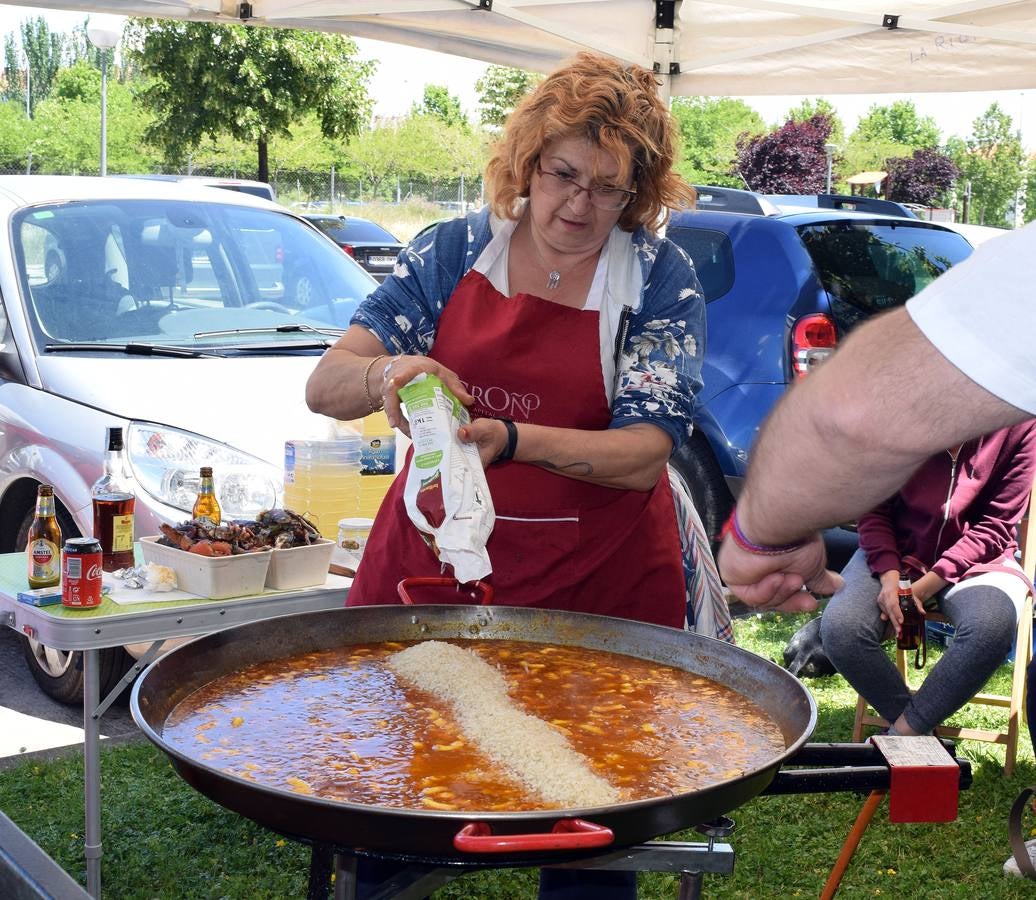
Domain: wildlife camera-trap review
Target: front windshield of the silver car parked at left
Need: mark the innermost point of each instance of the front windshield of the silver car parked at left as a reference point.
(164, 273)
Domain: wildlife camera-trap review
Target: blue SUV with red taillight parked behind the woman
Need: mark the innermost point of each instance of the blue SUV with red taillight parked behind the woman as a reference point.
(782, 289)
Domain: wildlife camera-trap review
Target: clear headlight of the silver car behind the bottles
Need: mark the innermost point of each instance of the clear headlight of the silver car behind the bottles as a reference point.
(166, 463)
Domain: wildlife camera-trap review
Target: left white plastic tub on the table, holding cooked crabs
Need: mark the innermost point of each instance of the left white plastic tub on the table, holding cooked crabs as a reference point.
(215, 577)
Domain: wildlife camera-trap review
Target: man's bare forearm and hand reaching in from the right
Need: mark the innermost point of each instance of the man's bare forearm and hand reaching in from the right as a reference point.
(842, 442)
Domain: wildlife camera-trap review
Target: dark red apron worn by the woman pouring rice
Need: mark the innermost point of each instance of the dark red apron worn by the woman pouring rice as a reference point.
(558, 543)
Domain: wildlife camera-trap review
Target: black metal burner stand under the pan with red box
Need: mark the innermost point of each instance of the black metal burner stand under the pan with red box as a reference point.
(923, 777)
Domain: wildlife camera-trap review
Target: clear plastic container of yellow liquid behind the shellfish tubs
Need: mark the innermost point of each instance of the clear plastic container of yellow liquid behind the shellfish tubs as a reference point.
(322, 480)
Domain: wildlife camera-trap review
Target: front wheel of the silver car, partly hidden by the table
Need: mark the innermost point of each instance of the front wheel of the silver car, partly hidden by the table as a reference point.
(60, 674)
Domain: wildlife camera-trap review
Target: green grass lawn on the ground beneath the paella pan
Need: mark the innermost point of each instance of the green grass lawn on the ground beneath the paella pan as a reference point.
(163, 840)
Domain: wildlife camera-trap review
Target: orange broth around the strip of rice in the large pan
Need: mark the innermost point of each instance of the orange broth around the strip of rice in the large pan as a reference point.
(339, 725)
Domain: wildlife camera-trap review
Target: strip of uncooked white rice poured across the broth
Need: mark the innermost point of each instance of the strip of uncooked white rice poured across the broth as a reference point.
(532, 751)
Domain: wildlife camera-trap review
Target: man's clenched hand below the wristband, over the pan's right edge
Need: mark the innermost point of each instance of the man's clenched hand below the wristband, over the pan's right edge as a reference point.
(787, 582)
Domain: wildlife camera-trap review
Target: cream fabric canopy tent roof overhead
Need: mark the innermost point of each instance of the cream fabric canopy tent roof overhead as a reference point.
(699, 47)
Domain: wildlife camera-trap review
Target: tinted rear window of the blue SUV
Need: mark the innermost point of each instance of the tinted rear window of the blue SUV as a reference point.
(868, 267)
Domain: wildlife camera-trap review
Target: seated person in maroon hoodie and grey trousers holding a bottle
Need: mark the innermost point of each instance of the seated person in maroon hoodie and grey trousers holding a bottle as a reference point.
(952, 530)
